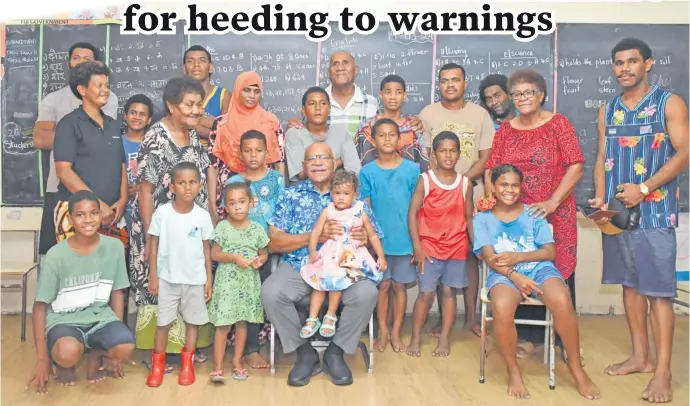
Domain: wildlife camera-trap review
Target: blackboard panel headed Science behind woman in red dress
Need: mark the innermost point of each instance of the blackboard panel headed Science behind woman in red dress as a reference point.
(483, 55)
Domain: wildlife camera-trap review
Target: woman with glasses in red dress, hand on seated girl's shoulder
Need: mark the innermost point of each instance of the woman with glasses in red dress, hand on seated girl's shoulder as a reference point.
(543, 145)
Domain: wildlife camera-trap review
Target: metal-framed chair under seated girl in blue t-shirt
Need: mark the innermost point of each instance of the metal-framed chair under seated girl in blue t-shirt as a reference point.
(549, 333)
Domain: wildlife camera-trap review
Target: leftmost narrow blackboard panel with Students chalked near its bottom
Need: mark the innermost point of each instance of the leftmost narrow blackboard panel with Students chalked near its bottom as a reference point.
(20, 169)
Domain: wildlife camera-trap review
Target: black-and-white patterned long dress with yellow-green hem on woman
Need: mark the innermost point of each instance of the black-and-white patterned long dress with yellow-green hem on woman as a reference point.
(158, 154)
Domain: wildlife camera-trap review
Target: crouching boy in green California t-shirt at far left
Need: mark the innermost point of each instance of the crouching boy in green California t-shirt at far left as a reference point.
(80, 276)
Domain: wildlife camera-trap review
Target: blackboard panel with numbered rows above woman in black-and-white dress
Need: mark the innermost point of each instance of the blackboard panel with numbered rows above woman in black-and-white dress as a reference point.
(143, 64)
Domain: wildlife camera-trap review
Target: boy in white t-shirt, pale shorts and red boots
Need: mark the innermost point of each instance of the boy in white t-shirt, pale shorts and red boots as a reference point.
(180, 267)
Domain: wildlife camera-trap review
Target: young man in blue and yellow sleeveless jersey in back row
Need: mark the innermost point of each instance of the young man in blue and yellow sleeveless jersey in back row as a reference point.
(197, 64)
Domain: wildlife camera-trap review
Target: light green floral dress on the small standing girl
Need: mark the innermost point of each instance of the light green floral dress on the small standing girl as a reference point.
(236, 291)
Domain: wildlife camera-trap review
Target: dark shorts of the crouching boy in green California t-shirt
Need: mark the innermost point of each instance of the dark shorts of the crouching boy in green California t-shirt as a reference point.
(101, 338)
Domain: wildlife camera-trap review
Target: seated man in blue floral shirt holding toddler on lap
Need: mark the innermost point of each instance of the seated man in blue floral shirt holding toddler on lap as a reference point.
(297, 211)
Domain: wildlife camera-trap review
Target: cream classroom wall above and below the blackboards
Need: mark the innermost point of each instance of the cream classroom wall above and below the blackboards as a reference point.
(592, 298)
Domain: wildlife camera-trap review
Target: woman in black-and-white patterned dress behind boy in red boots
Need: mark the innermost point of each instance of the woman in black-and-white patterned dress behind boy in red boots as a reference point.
(167, 143)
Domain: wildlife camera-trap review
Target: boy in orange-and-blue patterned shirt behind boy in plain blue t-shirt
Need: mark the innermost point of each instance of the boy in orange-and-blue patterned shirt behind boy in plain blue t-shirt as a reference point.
(411, 144)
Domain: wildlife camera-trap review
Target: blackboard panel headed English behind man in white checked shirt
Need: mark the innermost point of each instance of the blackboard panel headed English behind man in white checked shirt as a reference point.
(381, 54)
